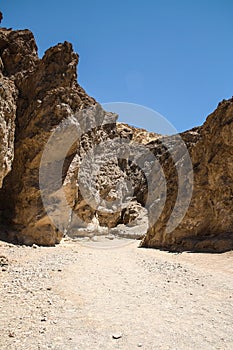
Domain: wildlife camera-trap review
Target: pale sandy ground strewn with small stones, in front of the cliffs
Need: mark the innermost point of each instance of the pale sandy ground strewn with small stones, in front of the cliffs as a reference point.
(82, 297)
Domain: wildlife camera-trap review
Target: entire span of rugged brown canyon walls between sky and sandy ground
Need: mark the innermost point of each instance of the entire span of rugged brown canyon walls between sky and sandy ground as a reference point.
(65, 164)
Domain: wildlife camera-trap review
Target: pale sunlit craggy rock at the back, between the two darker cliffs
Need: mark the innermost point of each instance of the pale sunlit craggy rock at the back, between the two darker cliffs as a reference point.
(101, 179)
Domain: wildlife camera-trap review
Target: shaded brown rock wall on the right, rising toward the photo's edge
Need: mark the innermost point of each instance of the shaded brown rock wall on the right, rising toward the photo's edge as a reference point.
(208, 223)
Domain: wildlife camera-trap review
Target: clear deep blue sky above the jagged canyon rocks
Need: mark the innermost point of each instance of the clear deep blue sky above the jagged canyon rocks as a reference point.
(174, 56)
